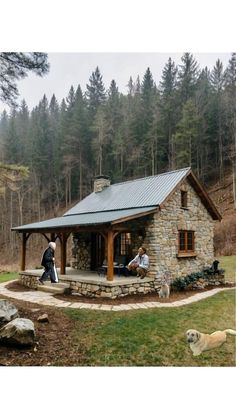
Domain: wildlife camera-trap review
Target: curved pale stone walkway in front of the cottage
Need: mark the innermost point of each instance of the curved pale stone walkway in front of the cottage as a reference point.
(47, 299)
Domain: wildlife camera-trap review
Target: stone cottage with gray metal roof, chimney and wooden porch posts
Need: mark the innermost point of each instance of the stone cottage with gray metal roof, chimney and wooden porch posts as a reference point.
(170, 214)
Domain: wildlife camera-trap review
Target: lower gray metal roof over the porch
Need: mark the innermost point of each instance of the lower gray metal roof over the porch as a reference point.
(85, 219)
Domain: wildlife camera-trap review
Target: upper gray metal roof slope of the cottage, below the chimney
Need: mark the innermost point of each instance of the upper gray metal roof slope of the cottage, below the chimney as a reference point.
(149, 191)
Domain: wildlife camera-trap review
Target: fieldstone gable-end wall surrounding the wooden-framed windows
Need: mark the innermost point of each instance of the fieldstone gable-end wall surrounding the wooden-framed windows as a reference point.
(162, 236)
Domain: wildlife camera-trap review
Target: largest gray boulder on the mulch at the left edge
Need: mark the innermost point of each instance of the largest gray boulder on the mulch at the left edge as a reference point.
(18, 332)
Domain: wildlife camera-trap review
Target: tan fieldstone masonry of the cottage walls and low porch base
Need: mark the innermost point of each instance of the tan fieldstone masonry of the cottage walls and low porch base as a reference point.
(160, 232)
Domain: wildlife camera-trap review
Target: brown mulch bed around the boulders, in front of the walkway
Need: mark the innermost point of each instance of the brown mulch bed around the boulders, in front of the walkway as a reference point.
(53, 339)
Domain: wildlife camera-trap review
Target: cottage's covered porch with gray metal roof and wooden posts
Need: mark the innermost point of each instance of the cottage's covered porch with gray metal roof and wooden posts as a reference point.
(102, 230)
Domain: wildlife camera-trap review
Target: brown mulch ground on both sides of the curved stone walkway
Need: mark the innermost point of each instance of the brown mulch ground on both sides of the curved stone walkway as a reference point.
(54, 344)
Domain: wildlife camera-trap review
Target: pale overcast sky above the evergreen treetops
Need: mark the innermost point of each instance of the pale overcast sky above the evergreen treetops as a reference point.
(68, 69)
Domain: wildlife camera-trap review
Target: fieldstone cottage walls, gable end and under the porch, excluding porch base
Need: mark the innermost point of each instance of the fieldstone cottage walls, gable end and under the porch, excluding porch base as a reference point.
(159, 234)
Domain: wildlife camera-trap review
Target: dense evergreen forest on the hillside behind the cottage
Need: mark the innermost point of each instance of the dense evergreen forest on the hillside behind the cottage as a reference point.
(188, 119)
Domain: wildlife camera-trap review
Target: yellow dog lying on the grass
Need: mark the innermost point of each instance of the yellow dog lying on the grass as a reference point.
(200, 342)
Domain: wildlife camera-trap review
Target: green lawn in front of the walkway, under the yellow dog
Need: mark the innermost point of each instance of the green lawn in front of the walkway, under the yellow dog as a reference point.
(154, 337)
